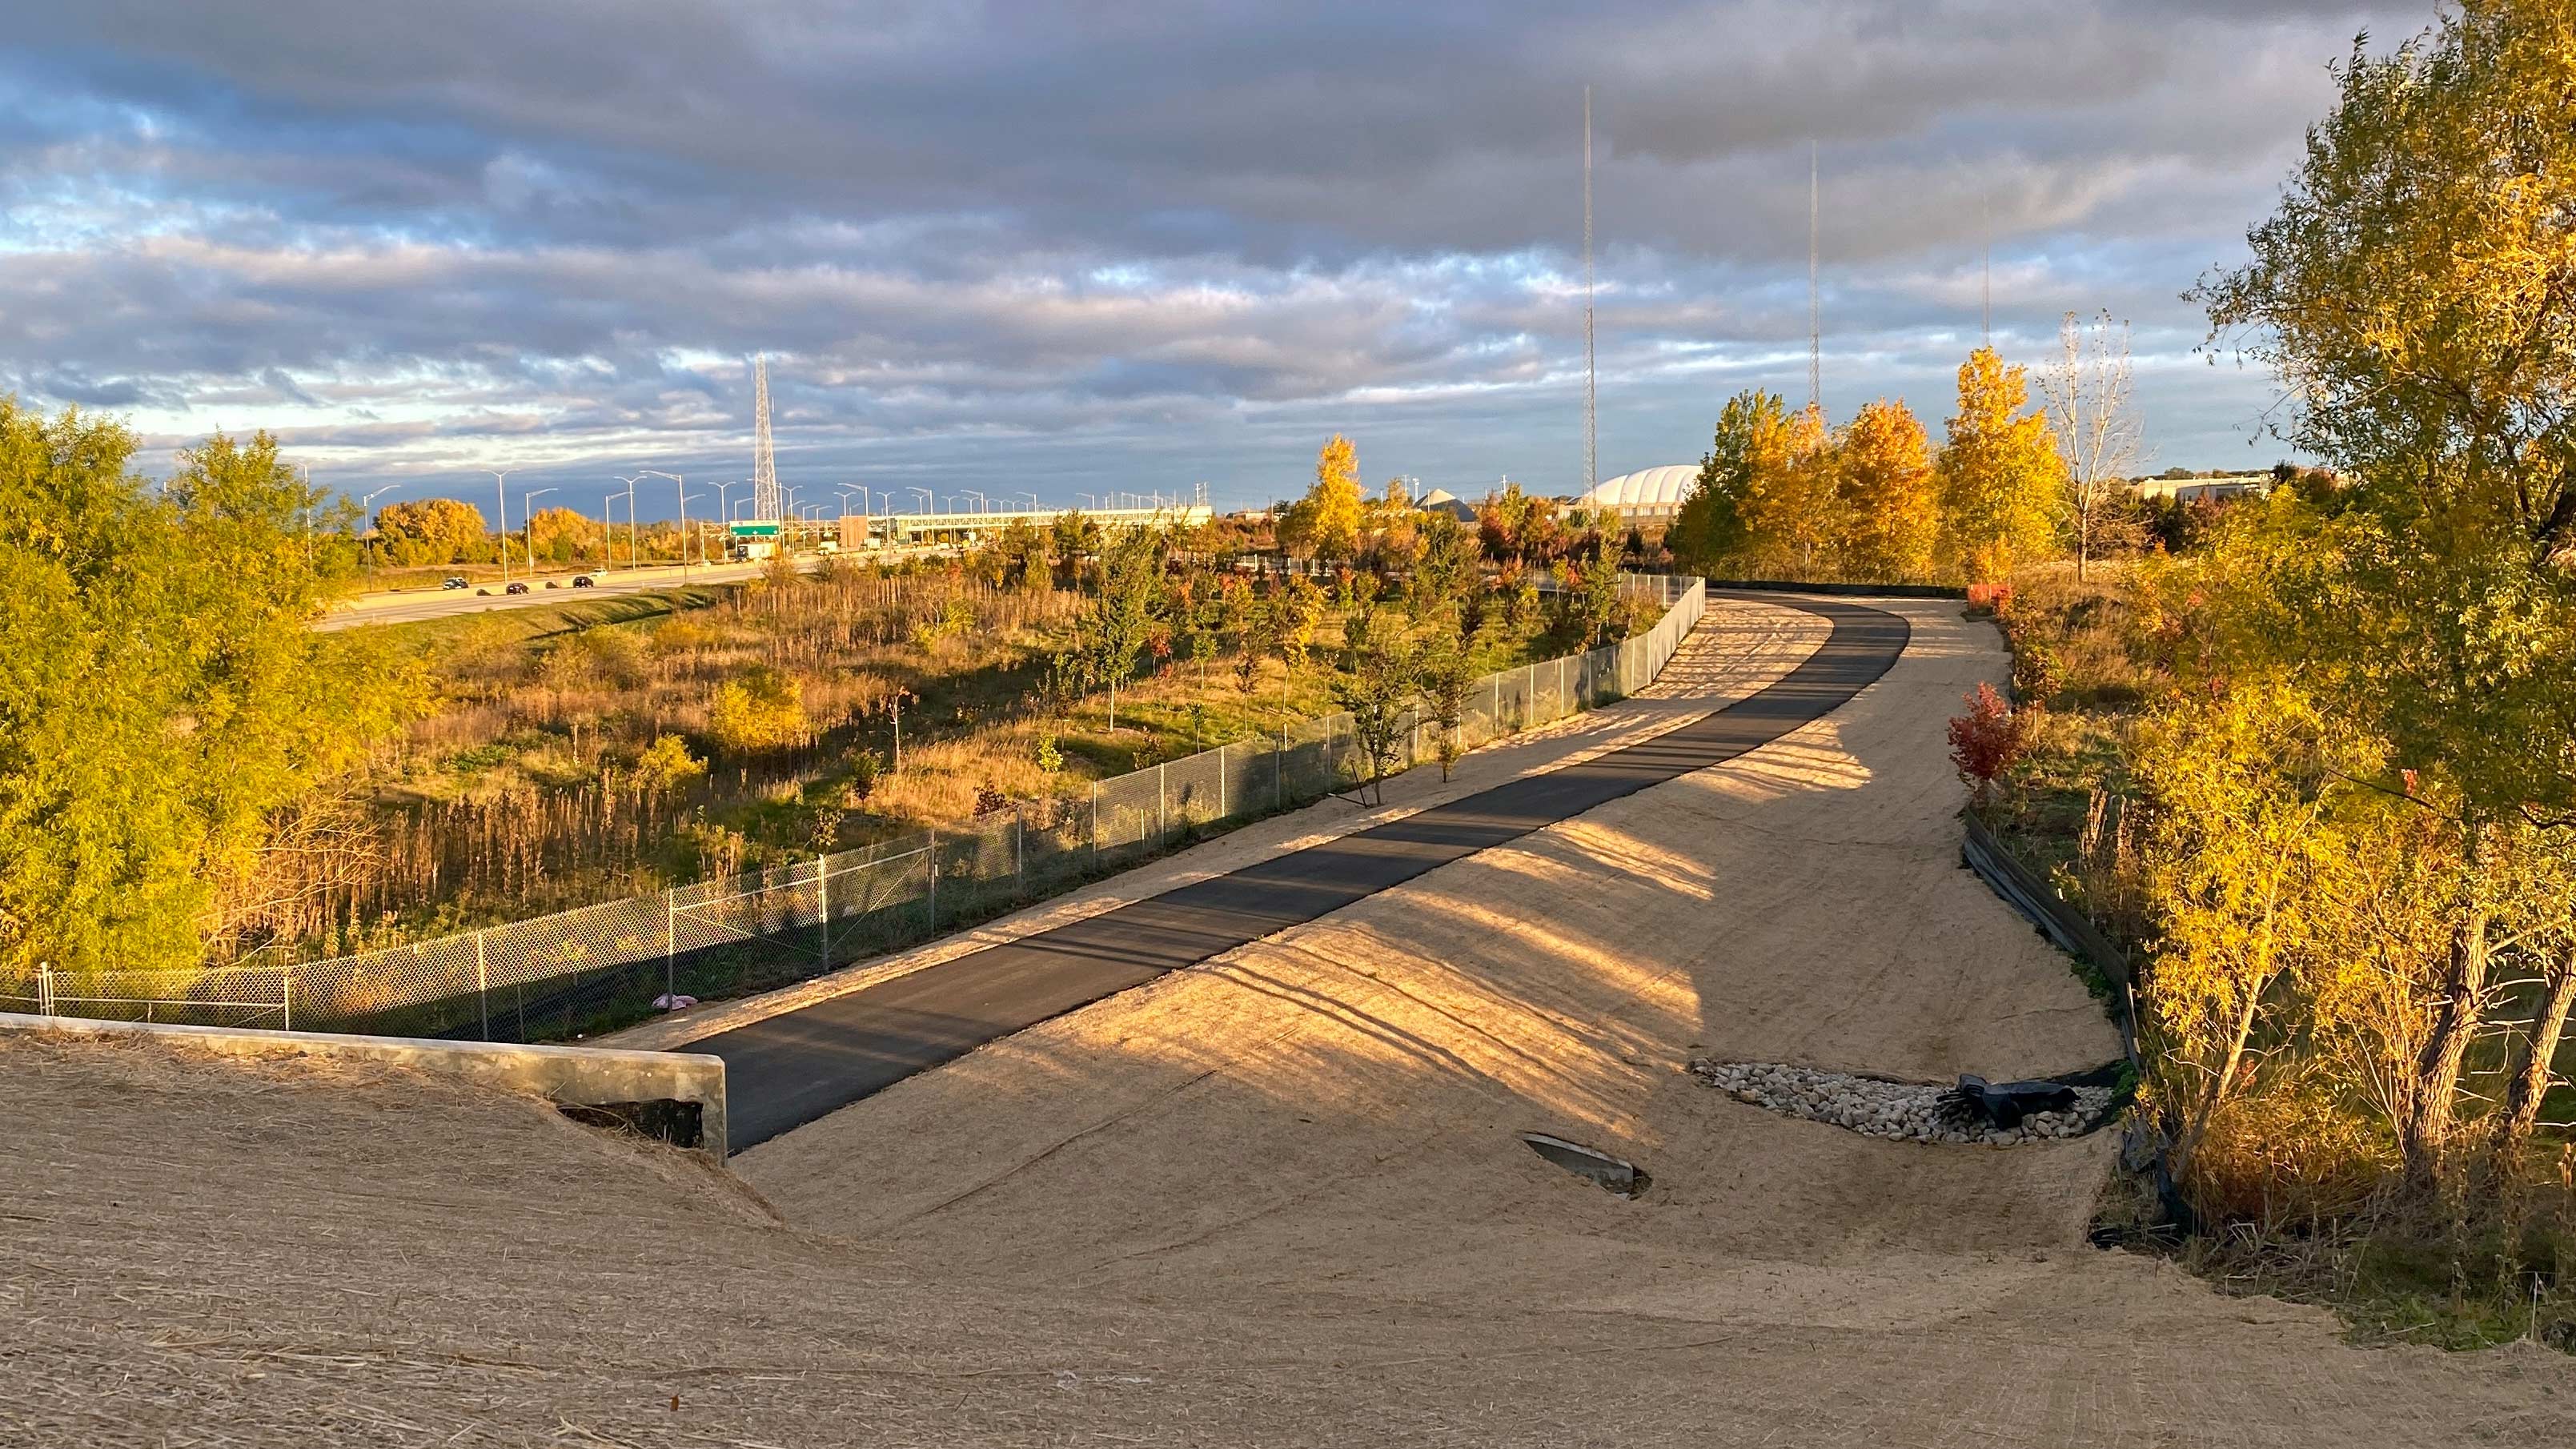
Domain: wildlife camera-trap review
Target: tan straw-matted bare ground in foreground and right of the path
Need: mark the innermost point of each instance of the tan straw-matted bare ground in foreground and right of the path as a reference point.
(1274, 1200)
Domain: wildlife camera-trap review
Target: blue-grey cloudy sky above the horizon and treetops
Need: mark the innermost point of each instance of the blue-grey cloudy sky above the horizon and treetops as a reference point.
(1081, 246)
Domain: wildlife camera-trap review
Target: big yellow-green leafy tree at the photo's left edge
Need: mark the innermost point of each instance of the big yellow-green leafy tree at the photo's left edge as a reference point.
(171, 710)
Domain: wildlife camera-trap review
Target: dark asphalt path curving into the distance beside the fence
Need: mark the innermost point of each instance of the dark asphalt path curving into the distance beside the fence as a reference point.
(815, 1061)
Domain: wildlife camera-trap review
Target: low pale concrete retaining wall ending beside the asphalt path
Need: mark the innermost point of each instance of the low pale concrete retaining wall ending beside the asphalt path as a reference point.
(601, 1082)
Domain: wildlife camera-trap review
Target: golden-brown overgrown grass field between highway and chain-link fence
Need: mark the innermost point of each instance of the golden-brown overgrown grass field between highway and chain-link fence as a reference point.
(596, 749)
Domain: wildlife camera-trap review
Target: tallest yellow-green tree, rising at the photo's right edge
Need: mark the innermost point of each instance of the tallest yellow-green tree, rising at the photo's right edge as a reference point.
(2418, 285)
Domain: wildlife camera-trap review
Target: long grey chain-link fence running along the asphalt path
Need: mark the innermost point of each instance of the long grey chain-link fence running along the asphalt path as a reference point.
(607, 966)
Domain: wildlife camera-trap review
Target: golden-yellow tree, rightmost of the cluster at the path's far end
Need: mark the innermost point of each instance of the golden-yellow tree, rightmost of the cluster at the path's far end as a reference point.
(1998, 473)
